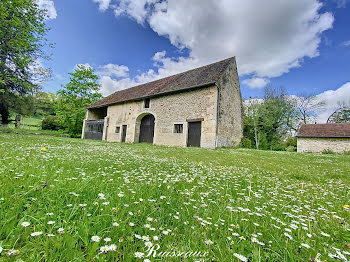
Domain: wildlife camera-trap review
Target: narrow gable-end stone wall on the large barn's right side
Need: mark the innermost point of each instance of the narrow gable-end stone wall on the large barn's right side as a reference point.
(230, 123)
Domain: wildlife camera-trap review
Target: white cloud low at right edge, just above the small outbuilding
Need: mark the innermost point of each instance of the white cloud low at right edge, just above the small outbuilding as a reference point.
(333, 99)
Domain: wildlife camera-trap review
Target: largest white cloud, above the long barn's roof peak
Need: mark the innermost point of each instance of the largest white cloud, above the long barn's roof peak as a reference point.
(267, 37)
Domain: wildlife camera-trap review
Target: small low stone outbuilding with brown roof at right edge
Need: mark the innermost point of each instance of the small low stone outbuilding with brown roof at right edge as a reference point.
(317, 138)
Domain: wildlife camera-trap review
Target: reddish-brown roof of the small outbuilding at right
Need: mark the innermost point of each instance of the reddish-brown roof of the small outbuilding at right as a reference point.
(341, 130)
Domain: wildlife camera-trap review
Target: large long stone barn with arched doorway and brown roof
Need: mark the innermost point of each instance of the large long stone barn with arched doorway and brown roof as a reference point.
(201, 107)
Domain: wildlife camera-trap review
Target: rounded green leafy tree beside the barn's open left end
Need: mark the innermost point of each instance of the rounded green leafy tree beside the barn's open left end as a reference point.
(80, 92)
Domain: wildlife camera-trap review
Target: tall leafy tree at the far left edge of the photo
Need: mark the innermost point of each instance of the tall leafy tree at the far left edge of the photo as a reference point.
(22, 38)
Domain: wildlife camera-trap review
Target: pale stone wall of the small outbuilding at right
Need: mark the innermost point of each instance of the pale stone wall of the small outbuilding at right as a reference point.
(317, 145)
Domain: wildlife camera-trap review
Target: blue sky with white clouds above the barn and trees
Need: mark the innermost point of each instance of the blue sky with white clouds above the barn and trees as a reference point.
(300, 45)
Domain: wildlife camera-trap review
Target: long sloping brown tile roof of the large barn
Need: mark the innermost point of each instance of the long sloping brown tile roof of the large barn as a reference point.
(199, 77)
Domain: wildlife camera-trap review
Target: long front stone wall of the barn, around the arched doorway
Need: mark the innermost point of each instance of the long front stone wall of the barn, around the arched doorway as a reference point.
(168, 110)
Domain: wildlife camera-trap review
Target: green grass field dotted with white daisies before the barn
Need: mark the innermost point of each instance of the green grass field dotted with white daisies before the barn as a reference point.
(78, 200)
